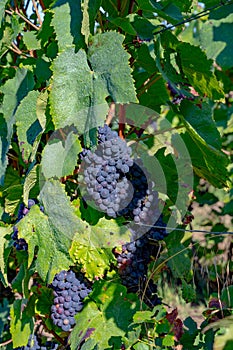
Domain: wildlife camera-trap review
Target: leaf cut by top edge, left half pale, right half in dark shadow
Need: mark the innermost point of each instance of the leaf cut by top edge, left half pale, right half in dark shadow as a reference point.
(67, 22)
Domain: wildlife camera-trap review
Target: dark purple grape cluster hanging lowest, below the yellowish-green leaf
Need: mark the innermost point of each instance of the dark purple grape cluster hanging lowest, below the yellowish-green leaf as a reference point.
(69, 293)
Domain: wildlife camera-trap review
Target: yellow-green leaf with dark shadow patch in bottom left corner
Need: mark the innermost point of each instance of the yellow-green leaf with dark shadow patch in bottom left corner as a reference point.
(21, 325)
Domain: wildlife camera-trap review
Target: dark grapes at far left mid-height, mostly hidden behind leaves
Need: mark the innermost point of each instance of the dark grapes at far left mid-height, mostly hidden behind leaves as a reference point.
(20, 243)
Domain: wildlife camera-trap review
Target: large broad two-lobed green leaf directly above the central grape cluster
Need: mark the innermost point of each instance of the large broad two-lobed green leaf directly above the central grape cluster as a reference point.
(87, 90)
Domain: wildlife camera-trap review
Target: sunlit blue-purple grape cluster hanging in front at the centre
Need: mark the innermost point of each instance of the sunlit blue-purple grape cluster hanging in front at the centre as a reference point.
(105, 172)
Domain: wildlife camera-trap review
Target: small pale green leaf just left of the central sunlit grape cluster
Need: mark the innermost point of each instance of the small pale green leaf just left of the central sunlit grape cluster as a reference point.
(59, 157)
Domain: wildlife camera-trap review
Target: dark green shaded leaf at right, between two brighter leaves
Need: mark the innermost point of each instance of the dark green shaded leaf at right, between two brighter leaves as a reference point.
(201, 120)
